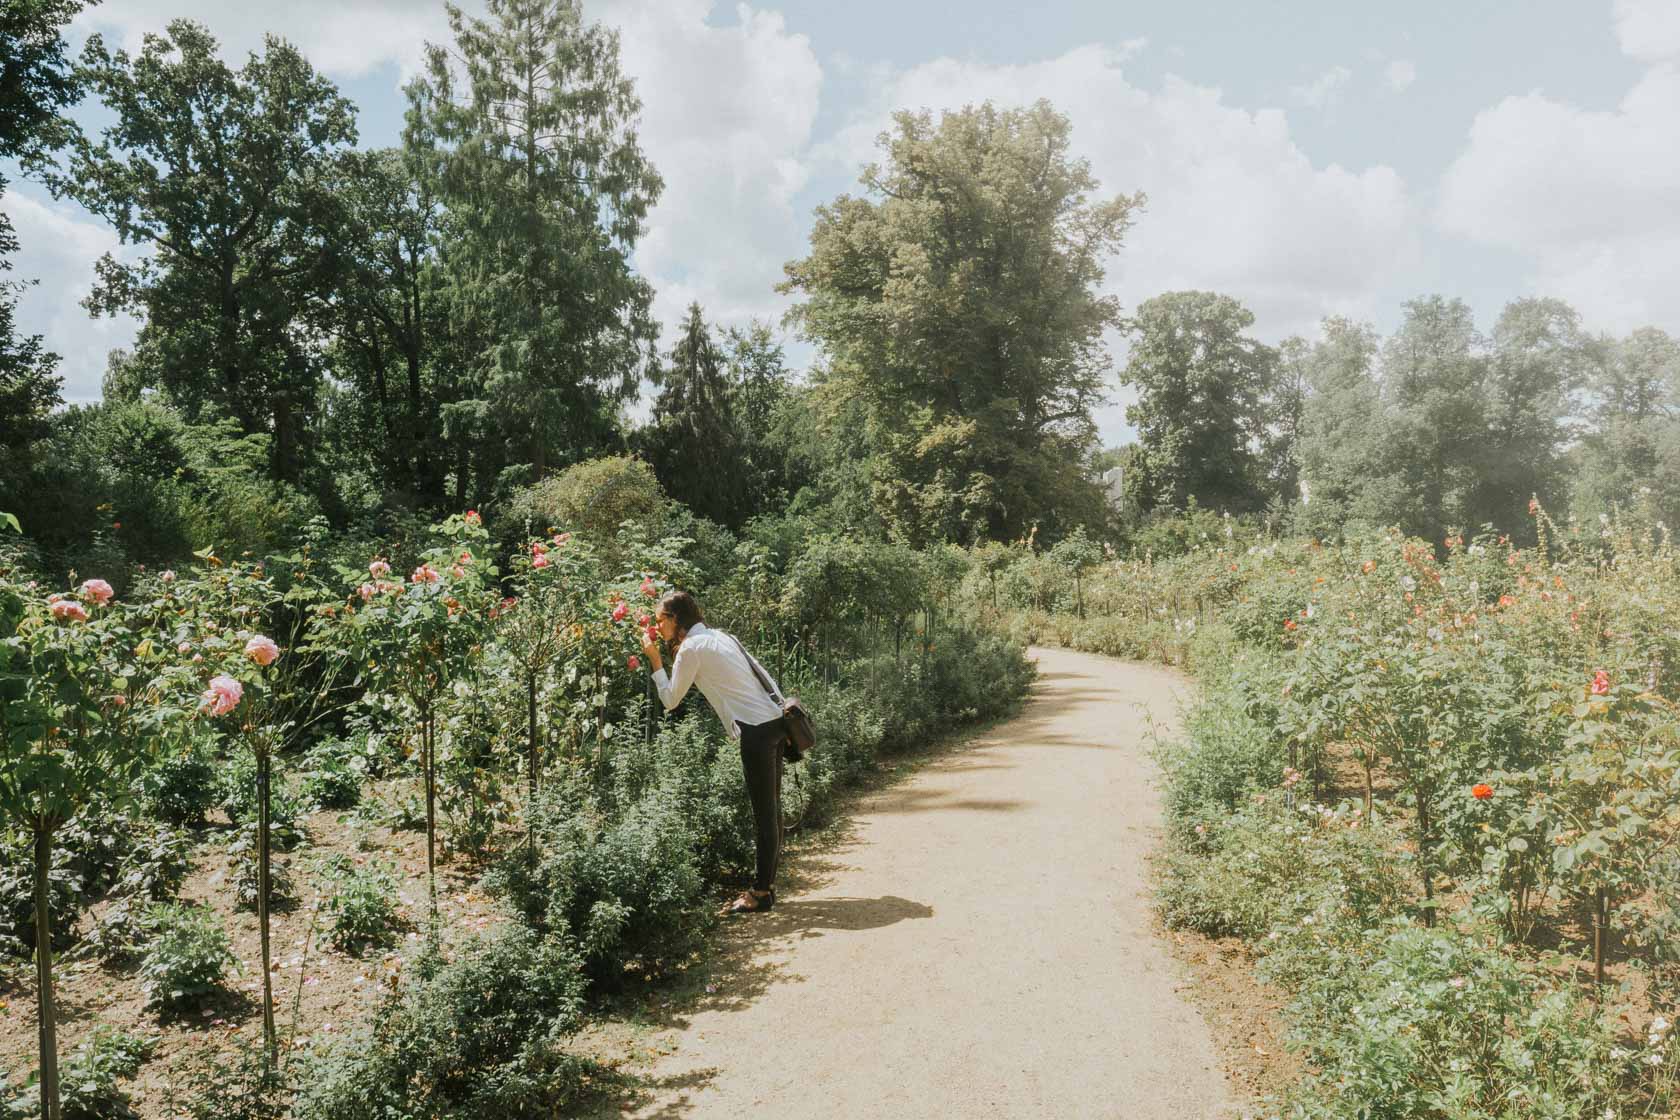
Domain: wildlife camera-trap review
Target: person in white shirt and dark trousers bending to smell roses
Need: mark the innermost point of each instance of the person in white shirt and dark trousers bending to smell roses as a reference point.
(723, 671)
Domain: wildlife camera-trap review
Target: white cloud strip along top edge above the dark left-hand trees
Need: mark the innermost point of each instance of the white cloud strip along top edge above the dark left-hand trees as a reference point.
(340, 38)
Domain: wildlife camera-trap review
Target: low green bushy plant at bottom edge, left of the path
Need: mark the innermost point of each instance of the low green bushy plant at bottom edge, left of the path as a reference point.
(476, 1037)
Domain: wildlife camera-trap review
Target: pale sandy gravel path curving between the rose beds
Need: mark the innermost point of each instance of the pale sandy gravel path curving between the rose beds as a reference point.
(977, 946)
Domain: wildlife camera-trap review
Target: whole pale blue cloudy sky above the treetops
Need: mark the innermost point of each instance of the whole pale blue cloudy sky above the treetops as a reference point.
(1308, 157)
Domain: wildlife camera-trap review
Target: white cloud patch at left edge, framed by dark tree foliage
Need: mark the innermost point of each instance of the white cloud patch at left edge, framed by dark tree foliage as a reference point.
(60, 249)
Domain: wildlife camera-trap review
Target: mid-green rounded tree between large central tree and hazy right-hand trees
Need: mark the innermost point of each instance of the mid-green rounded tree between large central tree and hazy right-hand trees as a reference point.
(1200, 414)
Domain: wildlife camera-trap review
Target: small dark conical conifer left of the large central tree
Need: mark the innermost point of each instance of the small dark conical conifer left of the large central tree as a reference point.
(696, 444)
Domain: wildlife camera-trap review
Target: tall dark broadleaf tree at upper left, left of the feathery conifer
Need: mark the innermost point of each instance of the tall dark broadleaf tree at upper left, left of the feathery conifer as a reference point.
(226, 174)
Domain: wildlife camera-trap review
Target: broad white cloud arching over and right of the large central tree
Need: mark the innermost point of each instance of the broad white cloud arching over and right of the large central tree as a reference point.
(1234, 204)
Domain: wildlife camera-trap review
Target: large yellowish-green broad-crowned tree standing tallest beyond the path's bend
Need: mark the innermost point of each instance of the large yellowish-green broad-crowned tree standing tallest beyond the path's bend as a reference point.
(958, 306)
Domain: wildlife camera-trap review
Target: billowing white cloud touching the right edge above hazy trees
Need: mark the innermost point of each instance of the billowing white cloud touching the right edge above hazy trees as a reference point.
(1588, 197)
